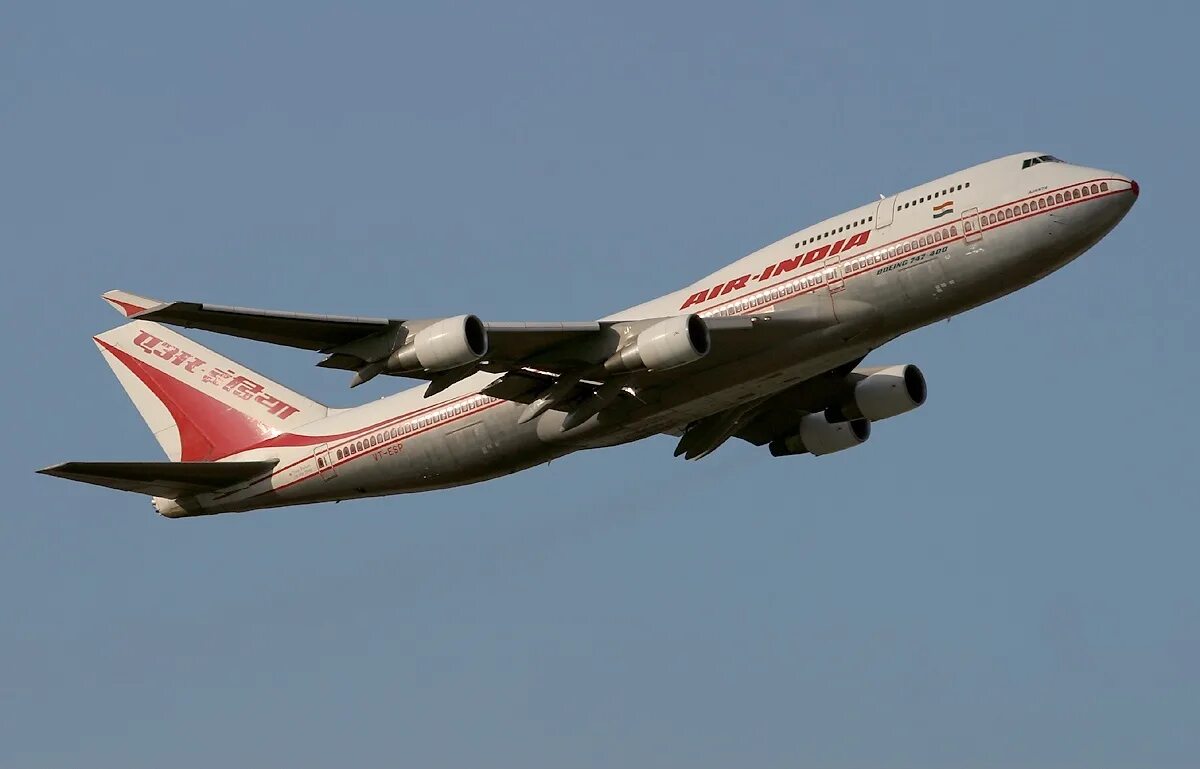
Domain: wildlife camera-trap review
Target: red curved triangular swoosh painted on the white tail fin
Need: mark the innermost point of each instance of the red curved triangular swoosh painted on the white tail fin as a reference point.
(208, 429)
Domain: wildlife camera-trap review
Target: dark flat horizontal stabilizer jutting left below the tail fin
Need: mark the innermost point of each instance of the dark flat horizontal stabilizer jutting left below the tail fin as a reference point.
(163, 479)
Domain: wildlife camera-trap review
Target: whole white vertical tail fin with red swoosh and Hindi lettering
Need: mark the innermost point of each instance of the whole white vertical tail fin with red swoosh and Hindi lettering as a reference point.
(200, 405)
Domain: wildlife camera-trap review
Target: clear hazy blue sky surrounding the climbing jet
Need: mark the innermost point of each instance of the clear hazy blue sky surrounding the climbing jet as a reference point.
(1004, 579)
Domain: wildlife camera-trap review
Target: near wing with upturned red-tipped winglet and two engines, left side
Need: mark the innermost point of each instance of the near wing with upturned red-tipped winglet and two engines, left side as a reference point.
(548, 365)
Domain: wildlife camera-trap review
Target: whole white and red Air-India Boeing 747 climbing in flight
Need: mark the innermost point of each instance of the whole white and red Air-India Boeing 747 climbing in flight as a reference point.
(767, 350)
